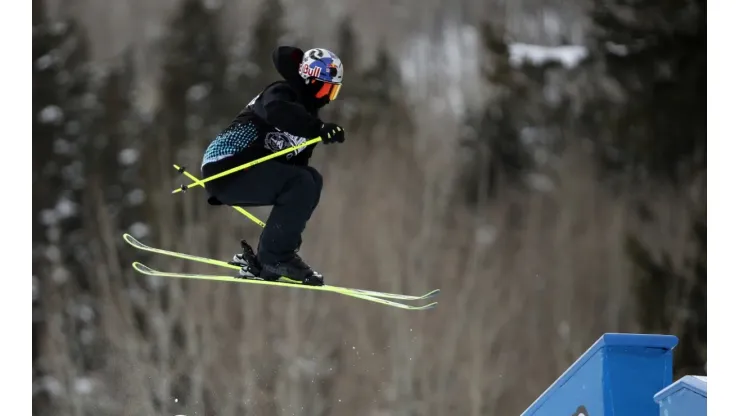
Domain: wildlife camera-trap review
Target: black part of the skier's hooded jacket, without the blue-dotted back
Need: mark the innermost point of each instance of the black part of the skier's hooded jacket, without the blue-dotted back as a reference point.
(285, 113)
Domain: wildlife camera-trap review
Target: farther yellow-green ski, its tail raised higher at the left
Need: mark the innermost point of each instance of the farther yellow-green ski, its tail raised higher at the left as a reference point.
(362, 292)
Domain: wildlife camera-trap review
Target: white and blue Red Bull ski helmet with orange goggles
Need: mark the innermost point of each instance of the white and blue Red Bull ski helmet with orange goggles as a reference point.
(322, 67)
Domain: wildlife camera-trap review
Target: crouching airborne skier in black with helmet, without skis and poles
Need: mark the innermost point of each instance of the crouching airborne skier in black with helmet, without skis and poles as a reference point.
(283, 115)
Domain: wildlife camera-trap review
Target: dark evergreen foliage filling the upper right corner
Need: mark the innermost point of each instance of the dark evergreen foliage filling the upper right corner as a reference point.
(657, 53)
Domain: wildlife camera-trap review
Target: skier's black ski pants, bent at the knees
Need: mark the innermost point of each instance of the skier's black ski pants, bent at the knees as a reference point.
(294, 193)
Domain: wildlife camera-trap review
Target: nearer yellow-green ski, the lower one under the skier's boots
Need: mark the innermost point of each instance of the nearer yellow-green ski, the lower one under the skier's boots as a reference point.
(144, 269)
